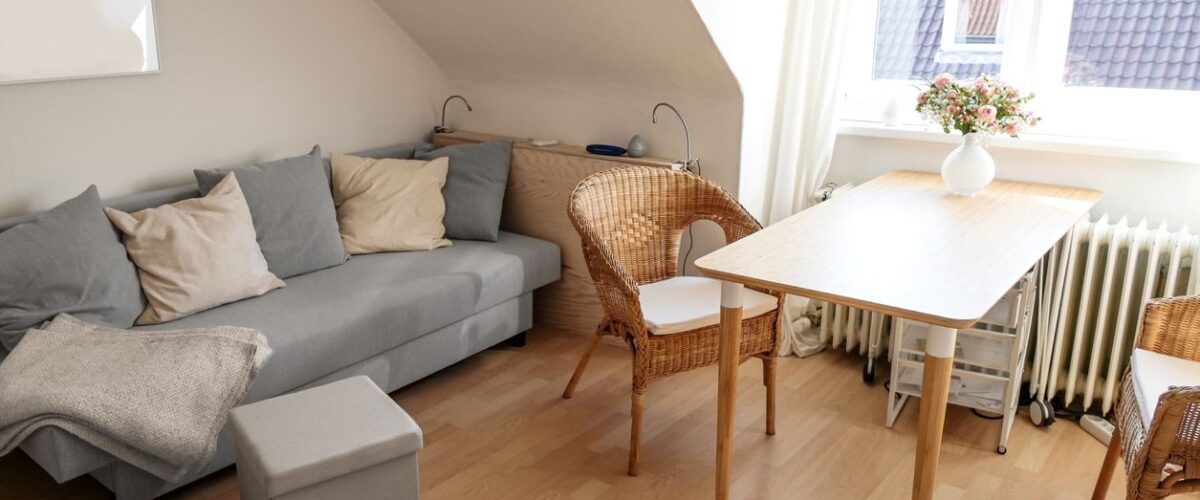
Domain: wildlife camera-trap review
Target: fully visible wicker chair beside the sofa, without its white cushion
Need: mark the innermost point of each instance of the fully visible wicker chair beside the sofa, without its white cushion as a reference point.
(631, 221)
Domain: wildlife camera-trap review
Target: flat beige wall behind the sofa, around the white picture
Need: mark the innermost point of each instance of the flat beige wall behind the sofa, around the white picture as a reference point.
(242, 81)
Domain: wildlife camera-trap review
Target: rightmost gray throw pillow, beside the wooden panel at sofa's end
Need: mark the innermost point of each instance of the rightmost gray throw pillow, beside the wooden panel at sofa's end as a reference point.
(475, 190)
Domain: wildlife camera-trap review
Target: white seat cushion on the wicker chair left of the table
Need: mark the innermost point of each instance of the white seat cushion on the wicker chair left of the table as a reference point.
(689, 303)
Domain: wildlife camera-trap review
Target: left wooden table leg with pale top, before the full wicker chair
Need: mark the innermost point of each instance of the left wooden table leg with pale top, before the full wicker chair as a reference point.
(728, 384)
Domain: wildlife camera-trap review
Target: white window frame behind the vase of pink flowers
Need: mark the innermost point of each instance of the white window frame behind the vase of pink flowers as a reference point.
(1034, 53)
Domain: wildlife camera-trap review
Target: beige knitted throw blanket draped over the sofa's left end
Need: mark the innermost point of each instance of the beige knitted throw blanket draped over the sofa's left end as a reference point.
(154, 400)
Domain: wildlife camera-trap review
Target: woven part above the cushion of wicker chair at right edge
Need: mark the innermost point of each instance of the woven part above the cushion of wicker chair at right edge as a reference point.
(1172, 327)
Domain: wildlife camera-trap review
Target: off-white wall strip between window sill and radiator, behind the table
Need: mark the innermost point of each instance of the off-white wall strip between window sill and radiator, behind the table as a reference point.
(1157, 191)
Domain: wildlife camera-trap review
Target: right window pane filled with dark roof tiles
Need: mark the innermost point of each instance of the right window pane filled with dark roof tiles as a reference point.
(1135, 45)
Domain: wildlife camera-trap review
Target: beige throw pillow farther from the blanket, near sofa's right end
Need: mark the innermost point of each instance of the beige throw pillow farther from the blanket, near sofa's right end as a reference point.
(391, 206)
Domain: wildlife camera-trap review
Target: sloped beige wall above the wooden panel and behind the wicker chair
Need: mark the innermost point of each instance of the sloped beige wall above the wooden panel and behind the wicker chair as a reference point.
(587, 73)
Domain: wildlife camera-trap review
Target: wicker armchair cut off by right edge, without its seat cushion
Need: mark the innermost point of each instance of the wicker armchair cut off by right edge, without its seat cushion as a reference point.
(1172, 328)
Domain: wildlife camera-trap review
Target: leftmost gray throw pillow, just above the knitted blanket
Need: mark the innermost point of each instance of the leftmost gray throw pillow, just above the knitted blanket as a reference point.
(69, 260)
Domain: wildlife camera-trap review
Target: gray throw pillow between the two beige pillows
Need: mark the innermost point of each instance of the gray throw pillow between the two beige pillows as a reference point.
(293, 213)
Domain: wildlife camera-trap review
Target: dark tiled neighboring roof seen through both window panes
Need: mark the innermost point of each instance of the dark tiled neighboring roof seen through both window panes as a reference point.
(1124, 44)
